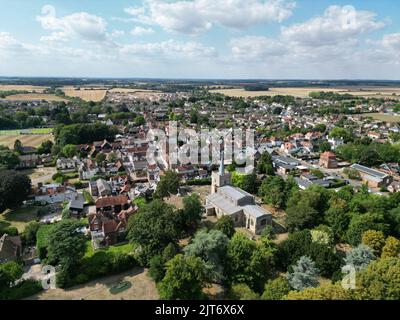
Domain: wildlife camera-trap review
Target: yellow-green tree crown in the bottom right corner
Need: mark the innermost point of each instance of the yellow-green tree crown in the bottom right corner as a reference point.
(380, 280)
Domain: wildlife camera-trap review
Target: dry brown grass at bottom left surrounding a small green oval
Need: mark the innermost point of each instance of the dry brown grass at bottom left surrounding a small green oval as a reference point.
(142, 288)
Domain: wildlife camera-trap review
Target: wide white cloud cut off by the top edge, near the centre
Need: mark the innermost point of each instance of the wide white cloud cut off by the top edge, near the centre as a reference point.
(199, 15)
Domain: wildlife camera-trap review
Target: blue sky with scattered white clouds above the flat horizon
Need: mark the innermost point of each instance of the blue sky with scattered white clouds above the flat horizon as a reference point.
(205, 39)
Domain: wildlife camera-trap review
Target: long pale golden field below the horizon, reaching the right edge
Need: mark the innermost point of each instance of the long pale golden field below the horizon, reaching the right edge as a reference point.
(304, 92)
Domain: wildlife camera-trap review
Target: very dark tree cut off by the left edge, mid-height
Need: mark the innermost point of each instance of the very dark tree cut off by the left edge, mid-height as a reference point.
(14, 188)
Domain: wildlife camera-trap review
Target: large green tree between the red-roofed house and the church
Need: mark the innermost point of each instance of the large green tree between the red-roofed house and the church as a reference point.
(152, 229)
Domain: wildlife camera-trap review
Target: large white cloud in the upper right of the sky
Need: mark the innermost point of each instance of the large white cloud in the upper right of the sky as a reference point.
(335, 25)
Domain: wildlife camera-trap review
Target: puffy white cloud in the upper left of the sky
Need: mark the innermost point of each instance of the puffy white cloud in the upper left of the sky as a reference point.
(80, 25)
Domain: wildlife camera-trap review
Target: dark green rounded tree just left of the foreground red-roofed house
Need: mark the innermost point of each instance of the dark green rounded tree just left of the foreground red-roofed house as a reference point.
(66, 245)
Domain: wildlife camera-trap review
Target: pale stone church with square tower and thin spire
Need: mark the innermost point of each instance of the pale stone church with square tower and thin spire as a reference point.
(235, 202)
